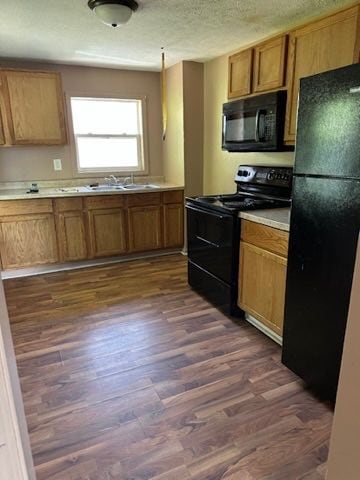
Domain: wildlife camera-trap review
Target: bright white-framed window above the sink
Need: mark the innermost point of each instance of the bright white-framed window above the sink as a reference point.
(108, 134)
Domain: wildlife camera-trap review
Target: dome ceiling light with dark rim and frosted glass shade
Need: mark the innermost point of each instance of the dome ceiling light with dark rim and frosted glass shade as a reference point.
(113, 12)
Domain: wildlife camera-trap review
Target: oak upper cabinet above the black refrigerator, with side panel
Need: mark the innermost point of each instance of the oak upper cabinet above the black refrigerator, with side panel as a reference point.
(321, 46)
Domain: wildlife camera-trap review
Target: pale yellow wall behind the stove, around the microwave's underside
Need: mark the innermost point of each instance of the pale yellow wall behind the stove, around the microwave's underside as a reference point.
(220, 166)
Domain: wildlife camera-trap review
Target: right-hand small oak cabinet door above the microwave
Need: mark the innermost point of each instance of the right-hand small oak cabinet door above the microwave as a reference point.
(269, 65)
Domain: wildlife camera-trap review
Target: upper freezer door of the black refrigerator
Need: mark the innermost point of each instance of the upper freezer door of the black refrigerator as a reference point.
(328, 128)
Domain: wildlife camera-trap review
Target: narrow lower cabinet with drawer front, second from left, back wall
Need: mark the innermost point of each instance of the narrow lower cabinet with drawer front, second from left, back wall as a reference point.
(71, 229)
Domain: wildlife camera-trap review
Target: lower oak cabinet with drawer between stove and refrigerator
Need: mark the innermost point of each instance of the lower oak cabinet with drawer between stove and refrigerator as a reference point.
(262, 274)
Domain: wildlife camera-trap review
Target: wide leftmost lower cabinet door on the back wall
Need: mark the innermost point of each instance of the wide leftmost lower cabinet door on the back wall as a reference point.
(28, 240)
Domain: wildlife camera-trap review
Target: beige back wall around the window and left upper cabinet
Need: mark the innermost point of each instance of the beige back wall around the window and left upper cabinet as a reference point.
(36, 162)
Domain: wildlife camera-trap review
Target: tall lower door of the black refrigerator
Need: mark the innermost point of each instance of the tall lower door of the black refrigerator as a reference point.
(323, 236)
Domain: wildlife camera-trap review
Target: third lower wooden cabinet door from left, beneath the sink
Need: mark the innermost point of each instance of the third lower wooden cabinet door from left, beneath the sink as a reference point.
(107, 232)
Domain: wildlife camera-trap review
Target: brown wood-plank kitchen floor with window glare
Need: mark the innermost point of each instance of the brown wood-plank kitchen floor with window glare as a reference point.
(128, 374)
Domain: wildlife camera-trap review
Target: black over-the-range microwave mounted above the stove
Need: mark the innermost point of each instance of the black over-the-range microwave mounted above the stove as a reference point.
(255, 124)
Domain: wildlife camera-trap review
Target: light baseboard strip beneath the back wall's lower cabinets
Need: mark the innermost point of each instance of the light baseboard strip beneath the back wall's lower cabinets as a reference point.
(61, 267)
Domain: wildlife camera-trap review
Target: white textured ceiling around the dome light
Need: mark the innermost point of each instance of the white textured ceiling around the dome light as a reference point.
(66, 31)
